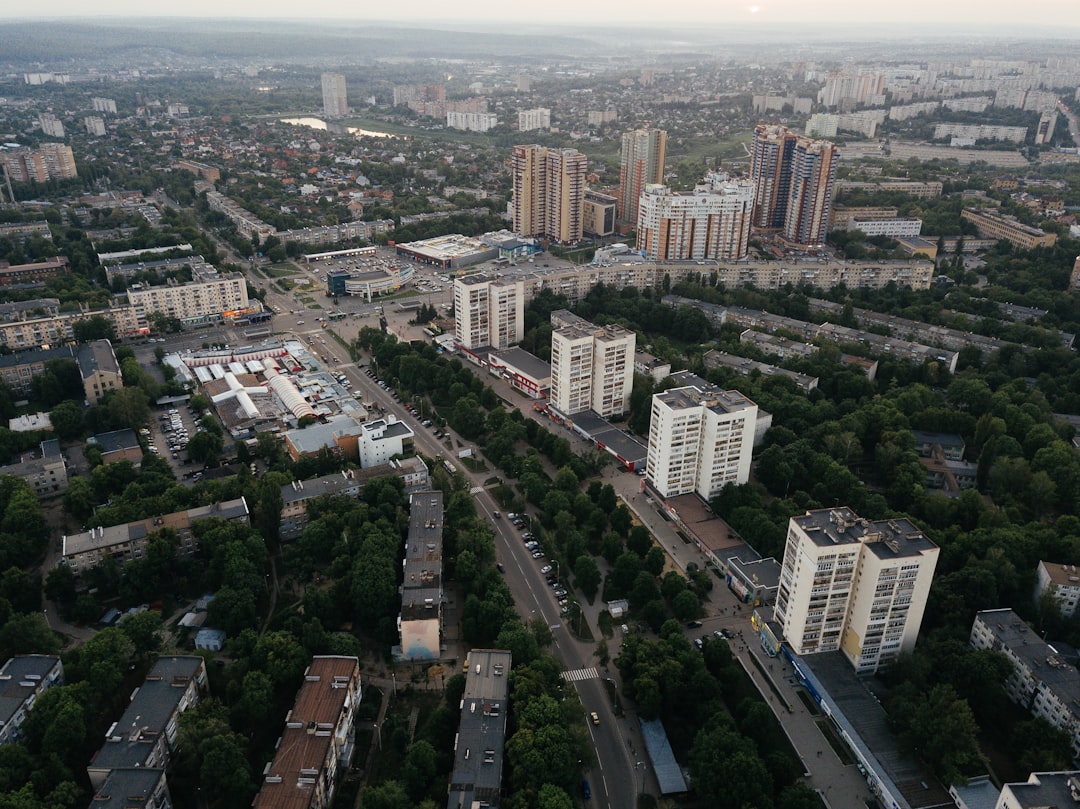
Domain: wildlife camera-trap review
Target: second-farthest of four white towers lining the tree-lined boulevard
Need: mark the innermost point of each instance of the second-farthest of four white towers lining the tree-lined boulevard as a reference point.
(592, 368)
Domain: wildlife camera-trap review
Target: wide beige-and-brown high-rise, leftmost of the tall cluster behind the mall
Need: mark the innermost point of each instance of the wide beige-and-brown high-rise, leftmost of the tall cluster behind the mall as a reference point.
(549, 193)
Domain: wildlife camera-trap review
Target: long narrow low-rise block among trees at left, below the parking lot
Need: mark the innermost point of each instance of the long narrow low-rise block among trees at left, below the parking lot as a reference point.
(124, 543)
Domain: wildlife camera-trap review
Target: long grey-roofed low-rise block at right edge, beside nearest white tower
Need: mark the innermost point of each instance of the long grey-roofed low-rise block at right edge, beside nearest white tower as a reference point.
(1043, 681)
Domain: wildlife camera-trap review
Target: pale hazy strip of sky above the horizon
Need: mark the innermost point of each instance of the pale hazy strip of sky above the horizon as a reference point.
(1010, 16)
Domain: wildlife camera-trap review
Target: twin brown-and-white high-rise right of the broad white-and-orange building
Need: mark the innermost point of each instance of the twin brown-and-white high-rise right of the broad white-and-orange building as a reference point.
(793, 178)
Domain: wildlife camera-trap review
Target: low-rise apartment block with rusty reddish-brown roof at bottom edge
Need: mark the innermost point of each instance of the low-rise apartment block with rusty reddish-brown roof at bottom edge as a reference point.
(318, 741)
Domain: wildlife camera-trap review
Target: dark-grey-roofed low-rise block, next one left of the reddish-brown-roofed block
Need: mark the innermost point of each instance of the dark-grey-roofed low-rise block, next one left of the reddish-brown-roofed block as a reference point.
(146, 734)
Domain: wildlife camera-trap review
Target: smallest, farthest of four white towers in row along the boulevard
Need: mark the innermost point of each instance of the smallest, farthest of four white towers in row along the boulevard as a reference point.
(489, 312)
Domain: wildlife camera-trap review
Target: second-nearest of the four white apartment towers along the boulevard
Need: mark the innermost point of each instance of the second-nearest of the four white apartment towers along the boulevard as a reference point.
(700, 441)
